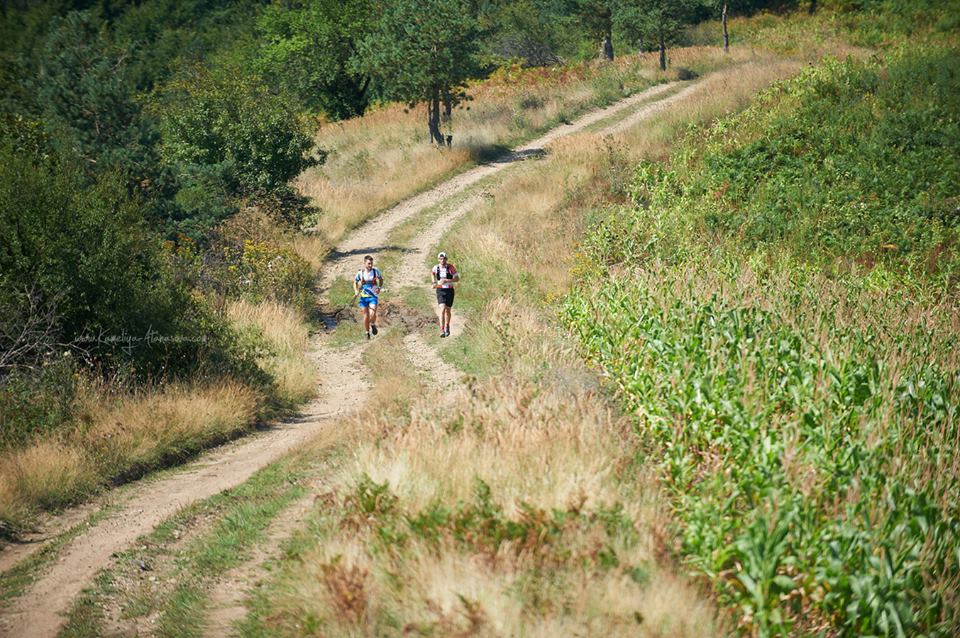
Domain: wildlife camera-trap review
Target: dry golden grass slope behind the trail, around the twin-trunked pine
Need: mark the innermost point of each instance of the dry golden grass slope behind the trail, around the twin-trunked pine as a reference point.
(383, 157)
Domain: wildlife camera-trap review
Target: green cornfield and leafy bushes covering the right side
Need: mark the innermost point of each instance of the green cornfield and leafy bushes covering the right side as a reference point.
(777, 312)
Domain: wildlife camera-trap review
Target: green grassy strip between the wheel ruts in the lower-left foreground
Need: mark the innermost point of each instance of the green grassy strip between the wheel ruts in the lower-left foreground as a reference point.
(163, 582)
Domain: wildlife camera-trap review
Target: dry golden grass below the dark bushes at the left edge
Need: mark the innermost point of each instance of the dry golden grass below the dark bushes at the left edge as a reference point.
(120, 436)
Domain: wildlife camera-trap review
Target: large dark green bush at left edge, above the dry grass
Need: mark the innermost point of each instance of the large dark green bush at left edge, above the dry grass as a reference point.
(85, 252)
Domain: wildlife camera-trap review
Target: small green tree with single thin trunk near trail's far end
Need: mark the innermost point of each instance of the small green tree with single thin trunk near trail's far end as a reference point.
(659, 21)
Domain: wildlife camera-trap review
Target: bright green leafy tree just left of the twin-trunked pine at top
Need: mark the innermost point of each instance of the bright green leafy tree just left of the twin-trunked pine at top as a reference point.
(308, 48)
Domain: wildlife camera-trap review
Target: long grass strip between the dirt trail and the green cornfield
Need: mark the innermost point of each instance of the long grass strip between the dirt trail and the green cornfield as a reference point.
(517, 502)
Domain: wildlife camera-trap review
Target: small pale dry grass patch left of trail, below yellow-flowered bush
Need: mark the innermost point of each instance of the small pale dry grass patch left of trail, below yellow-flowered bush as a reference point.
(287, 336)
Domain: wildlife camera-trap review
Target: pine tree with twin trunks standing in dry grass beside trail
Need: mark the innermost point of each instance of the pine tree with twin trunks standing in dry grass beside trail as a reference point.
(423, 51)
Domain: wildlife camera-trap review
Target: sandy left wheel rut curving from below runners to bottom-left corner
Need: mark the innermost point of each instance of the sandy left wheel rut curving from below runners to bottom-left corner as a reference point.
(39, 611)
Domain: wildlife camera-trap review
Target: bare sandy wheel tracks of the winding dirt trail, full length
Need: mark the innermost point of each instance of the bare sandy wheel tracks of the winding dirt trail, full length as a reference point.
(39, 612)
